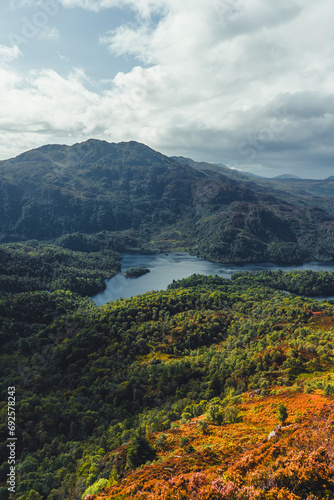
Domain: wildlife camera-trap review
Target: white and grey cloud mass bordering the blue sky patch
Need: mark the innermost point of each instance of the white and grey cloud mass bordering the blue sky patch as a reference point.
(243, 82)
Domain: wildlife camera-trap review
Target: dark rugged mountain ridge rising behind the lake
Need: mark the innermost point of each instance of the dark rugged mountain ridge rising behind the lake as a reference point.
(129, 195)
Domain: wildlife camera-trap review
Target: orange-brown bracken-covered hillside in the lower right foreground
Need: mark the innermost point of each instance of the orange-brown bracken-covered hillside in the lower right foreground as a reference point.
(236, 460)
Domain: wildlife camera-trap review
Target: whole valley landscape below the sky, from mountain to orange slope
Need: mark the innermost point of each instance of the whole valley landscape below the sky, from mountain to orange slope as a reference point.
(215, 380)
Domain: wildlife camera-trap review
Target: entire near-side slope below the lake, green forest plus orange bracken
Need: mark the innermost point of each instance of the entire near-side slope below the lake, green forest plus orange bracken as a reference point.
(112, 398)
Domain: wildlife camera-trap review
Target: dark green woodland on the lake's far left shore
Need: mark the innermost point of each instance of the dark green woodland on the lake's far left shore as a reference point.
(37, 266)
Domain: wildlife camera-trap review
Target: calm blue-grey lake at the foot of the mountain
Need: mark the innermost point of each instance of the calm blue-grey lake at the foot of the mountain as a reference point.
(177, 265)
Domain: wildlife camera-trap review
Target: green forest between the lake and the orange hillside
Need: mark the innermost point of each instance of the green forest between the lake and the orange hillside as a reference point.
(89, 378)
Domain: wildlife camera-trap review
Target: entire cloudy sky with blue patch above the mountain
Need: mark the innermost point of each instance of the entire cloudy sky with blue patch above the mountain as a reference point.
(248, 83)
